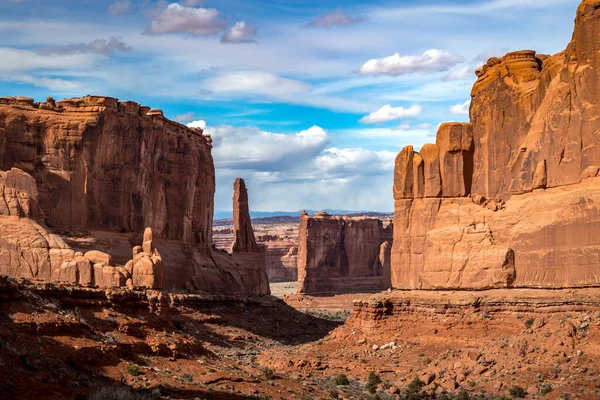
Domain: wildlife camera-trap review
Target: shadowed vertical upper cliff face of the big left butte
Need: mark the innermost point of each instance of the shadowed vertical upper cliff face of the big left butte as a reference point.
(109, 165)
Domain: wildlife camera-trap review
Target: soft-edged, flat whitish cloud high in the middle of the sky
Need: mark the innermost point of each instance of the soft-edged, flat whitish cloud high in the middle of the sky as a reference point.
(255, 82)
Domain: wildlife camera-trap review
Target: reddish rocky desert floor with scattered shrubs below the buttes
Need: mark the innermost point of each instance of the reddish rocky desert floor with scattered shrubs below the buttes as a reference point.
(60, 342)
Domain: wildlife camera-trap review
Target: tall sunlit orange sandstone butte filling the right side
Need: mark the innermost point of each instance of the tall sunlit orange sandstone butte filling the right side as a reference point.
(511, 199)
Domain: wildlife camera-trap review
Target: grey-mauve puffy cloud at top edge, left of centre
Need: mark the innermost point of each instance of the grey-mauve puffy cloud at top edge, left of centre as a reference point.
(190, 20)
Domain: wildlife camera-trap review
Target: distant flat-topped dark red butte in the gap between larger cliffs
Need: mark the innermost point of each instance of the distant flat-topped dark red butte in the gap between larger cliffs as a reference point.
(342, 254)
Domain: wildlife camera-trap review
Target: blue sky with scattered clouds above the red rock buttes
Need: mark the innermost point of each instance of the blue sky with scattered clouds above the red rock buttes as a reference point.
(309, 101)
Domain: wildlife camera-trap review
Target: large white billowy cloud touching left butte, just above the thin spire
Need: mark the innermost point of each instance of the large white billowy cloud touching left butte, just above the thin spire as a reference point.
(257, 150)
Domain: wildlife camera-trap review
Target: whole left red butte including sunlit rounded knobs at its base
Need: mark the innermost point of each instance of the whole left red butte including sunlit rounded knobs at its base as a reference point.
(89, 178)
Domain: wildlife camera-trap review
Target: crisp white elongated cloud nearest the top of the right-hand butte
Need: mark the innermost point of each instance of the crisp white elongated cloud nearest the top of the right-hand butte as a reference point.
(431, 60)
